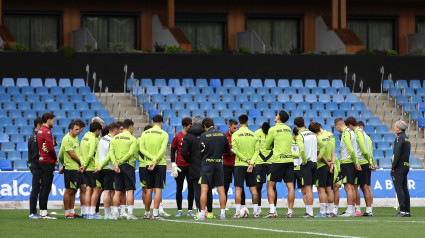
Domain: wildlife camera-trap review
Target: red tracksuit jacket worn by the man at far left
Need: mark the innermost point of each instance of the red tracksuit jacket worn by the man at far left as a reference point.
(44, 135)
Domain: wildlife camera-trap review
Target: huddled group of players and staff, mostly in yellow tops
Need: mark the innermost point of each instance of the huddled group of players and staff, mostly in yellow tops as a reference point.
(208, 158)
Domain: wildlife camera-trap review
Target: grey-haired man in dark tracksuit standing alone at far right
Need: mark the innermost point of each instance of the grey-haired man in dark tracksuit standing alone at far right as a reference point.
(400, 168)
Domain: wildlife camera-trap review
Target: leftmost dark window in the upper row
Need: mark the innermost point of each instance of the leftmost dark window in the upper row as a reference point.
(33, 30)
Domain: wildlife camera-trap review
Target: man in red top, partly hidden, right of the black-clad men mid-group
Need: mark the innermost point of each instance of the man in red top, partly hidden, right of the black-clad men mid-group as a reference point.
(229, 161)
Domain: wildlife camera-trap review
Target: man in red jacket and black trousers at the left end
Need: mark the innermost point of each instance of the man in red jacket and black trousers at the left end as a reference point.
(46, 162)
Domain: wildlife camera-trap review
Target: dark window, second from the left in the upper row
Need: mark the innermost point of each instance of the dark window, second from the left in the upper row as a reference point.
(113, 30)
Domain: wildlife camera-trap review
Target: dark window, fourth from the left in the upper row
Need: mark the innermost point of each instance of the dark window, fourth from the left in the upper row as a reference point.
(279, 33)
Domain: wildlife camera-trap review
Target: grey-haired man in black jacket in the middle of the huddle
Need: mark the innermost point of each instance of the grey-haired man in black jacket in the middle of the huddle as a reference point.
(191, 154)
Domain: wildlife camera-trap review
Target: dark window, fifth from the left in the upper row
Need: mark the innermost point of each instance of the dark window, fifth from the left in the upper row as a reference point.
(376, 34)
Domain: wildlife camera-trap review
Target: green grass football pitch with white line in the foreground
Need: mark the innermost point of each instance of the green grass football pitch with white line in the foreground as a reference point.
(15, 223)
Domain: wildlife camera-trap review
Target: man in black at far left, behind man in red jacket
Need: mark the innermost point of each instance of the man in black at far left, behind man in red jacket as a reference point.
(33, 156)
